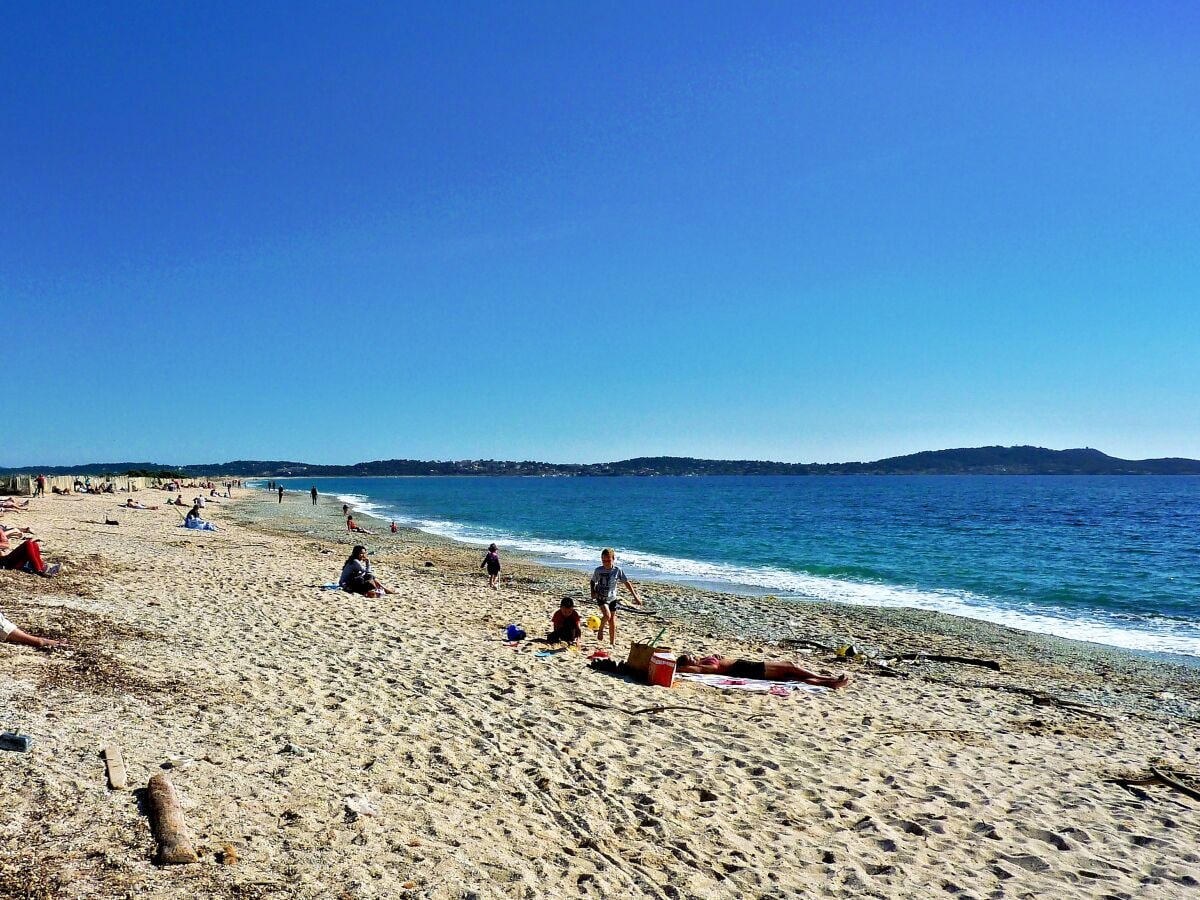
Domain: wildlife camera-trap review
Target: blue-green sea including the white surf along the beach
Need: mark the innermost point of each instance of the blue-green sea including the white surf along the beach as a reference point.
(1115, 561)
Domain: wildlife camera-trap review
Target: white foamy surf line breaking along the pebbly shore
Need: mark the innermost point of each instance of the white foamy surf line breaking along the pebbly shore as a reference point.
(1149, 634)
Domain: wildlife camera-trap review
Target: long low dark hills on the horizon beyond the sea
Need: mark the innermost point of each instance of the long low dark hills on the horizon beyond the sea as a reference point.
(968, 461)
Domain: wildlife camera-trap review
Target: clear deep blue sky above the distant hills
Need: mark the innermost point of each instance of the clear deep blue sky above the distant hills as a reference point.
(567, 232)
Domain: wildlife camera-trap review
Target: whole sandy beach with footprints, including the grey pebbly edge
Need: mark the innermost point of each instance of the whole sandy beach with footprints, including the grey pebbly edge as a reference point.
(339, 747)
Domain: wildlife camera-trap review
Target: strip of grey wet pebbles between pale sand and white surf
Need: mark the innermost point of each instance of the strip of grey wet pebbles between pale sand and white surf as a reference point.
(765, 622)
